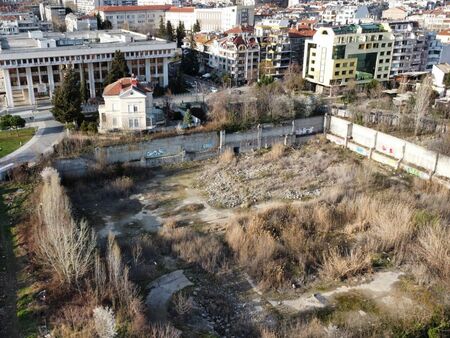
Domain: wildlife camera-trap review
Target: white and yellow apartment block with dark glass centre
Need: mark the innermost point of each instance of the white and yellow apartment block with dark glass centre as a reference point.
(336, 55)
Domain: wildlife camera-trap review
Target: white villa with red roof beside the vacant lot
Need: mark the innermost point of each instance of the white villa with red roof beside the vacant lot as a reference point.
(128, 107)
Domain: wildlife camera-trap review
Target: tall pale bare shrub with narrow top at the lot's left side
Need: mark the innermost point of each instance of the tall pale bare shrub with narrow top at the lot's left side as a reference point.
(64, 246)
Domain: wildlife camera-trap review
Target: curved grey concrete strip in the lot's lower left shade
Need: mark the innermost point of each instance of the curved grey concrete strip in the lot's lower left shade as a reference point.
(161, 290)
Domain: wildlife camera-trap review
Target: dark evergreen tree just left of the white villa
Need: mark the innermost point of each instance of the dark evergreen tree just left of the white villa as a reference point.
(66, 99)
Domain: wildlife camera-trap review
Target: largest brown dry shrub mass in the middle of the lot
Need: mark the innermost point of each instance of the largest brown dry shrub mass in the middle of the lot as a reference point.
(269, 244)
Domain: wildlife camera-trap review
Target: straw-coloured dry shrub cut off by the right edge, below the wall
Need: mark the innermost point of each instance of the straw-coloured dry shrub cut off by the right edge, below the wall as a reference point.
(434, 249)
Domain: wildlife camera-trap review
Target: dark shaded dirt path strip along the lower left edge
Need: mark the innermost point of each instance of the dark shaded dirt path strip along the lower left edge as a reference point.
(9, 326)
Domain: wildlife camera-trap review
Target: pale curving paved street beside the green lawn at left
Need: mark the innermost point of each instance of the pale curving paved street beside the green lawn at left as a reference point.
(49, 133)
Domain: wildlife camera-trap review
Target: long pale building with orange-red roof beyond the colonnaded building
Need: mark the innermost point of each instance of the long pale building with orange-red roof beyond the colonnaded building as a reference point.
(134, 17)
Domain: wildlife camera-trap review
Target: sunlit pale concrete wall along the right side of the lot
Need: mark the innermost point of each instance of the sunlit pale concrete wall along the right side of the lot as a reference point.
(389, 150)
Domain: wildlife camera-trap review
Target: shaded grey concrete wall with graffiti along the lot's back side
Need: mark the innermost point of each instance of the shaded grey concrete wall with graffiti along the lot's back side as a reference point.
(195, 146)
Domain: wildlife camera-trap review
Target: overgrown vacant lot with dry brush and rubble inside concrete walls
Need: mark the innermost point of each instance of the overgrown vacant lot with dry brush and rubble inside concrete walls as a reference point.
(283, 242)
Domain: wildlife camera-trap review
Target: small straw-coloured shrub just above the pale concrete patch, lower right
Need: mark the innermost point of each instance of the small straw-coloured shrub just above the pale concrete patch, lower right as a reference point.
(342, 266)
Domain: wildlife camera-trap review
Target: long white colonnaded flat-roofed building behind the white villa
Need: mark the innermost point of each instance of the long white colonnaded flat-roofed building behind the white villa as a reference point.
(33, 64)
